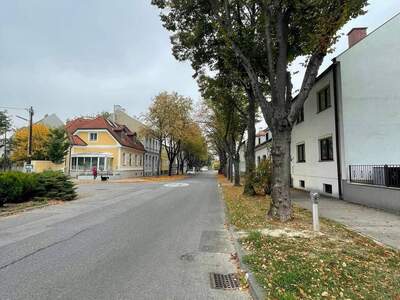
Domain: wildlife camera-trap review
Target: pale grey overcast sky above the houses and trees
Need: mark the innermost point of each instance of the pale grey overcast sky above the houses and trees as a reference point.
(79, 57)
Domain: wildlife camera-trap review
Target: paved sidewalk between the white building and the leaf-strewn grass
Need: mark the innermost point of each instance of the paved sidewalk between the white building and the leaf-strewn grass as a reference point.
(381, 226)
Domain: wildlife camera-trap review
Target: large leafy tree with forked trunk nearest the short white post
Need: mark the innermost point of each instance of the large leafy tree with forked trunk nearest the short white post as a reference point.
(249, 45)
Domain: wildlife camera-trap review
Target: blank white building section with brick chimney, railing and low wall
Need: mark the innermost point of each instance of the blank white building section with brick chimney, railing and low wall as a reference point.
(369, 94)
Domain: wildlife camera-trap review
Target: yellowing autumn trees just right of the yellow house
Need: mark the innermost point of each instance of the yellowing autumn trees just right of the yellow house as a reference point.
(170, 121)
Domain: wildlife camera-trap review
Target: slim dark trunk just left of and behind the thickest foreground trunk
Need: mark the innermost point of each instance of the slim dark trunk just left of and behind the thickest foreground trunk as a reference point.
(250, 155)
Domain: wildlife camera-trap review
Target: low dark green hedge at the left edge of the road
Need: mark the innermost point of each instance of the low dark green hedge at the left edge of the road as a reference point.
(18, 187)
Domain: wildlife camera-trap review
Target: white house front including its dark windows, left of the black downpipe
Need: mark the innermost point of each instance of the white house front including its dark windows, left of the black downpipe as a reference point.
(313, 155)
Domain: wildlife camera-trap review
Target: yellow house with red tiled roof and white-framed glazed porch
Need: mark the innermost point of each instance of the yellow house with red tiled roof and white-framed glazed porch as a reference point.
(109, 147)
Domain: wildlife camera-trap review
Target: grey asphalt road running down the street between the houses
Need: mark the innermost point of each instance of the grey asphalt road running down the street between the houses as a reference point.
(120, 241)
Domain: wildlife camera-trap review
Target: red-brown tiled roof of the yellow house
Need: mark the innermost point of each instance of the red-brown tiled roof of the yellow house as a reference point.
(120, 132)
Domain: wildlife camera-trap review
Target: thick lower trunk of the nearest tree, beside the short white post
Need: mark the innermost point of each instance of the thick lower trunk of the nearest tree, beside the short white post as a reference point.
(281, 207)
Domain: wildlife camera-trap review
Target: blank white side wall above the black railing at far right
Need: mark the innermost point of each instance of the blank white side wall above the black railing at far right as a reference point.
(370, 86)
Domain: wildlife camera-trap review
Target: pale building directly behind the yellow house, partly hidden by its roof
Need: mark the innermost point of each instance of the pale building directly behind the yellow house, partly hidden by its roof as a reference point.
(150, 144)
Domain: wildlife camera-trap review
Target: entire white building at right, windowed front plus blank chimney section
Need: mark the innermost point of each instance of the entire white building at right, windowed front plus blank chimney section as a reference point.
(348, 144)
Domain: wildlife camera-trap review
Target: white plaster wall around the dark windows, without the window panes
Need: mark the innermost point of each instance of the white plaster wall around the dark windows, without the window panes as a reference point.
(315, 126)
